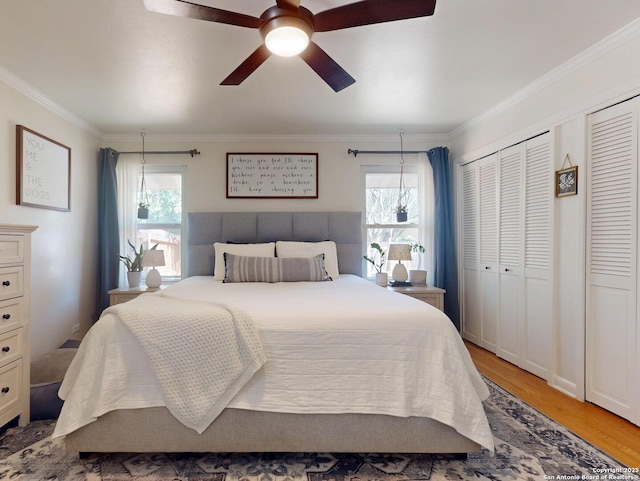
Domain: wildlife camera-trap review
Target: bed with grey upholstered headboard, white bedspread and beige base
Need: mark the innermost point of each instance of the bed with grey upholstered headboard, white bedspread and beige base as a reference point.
(349, 366)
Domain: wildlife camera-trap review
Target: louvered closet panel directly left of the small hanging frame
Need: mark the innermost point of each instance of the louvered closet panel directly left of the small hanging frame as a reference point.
(538, 260)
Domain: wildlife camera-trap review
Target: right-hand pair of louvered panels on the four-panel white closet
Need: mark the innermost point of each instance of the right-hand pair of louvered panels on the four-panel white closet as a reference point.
(525, 253)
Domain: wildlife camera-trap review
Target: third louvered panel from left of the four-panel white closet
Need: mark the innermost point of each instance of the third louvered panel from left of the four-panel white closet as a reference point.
(510, 252)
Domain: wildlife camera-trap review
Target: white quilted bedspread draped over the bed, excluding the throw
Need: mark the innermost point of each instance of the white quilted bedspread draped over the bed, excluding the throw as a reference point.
(346, 346)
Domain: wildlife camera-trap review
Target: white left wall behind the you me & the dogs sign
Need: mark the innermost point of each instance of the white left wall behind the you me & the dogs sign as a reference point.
(63, 246)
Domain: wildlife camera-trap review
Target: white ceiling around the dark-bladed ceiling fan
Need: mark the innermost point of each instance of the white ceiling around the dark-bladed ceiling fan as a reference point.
(121, 68)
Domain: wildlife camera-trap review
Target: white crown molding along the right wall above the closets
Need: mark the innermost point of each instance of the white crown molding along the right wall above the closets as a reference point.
(603, 47)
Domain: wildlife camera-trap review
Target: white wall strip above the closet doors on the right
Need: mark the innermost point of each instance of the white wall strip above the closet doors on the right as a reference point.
(608, 72)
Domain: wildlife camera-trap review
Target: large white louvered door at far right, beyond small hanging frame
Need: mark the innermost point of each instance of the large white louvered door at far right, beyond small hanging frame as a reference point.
(612, 362)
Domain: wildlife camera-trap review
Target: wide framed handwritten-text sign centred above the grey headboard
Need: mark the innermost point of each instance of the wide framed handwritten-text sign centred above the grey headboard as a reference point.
(272, 175)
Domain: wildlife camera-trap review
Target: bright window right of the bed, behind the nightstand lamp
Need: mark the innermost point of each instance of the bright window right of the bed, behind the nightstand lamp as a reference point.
(381, 185)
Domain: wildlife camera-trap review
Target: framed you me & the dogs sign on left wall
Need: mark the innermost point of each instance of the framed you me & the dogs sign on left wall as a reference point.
(43, 171)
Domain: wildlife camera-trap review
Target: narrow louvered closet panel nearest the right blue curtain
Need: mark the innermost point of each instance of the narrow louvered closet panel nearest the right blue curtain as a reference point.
(471, 291)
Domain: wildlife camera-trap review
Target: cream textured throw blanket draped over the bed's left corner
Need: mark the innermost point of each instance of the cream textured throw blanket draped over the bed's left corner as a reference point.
(202, 353)
